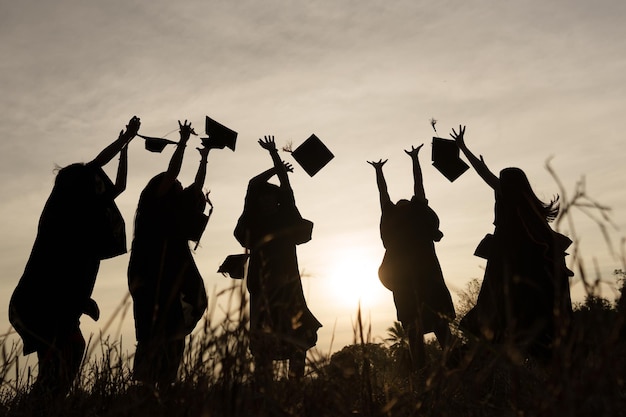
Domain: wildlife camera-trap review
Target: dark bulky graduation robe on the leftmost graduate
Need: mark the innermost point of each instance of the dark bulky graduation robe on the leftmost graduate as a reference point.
(79, 226)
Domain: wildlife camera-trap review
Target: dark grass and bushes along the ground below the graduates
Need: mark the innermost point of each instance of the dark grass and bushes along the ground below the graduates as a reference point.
(586, 377)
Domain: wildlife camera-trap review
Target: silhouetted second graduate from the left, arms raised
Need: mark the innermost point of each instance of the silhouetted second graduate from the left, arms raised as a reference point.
(167, 289)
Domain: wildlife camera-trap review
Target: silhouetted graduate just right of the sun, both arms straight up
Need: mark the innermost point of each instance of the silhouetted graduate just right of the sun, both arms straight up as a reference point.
(410, 268)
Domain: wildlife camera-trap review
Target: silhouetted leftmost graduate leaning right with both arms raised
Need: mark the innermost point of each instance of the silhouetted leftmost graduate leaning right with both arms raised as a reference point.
(80, 225)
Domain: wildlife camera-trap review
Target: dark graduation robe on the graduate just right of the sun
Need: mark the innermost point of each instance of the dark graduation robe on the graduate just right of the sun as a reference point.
(410, 268)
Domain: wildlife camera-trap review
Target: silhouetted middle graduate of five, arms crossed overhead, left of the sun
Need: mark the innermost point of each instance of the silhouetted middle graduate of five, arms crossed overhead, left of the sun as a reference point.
(281, 325)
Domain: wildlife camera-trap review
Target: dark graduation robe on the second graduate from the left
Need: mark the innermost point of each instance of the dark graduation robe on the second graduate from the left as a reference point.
(168, 293)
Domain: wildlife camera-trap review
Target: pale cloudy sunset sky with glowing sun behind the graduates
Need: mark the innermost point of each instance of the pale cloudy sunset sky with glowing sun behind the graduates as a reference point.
(533, 81)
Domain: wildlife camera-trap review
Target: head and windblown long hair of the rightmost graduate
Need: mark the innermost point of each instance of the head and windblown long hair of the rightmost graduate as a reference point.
(517, 191)
